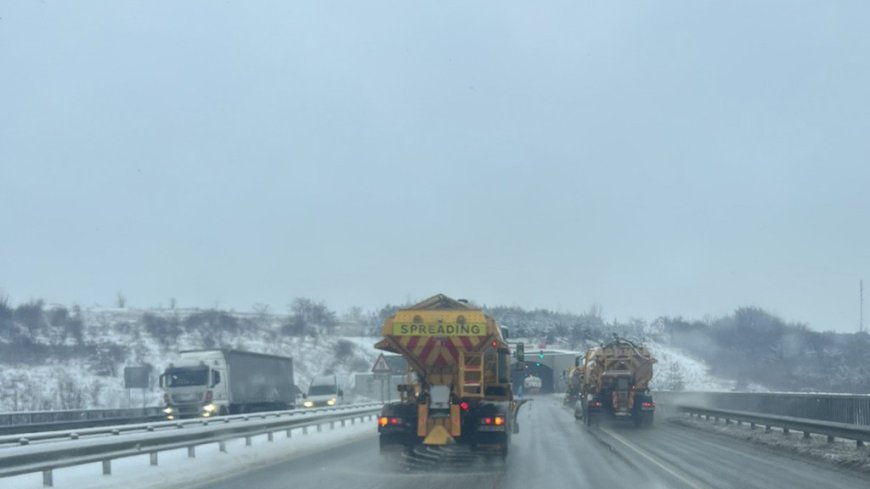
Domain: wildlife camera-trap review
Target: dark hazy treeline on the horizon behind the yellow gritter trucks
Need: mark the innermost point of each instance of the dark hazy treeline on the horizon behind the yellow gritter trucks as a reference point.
(748, 346)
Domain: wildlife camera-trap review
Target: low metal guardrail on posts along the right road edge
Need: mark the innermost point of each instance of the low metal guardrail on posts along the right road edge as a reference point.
(832, 430)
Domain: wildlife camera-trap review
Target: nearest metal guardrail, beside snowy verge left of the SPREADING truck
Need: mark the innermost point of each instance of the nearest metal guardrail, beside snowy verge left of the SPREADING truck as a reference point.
(46, 457)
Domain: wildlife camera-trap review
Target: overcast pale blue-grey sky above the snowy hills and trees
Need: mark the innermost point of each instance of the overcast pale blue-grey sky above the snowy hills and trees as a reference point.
(657, 157)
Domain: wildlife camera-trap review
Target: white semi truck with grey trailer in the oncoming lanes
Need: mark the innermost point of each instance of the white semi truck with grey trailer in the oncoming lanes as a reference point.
(217, 382)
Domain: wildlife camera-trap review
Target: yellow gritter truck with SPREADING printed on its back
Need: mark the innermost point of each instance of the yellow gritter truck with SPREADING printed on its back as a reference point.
(458, 388)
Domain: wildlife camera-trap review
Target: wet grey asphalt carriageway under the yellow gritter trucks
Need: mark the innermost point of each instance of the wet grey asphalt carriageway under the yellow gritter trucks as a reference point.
(553, 450)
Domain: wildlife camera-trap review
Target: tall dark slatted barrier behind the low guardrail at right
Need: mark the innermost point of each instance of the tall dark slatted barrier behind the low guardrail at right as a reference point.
(851, 409)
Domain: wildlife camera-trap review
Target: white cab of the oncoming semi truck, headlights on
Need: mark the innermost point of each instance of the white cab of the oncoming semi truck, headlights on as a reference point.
(195, 386)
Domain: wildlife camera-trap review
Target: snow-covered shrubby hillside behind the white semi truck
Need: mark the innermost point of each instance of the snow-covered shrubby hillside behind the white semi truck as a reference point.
(90, 374)
